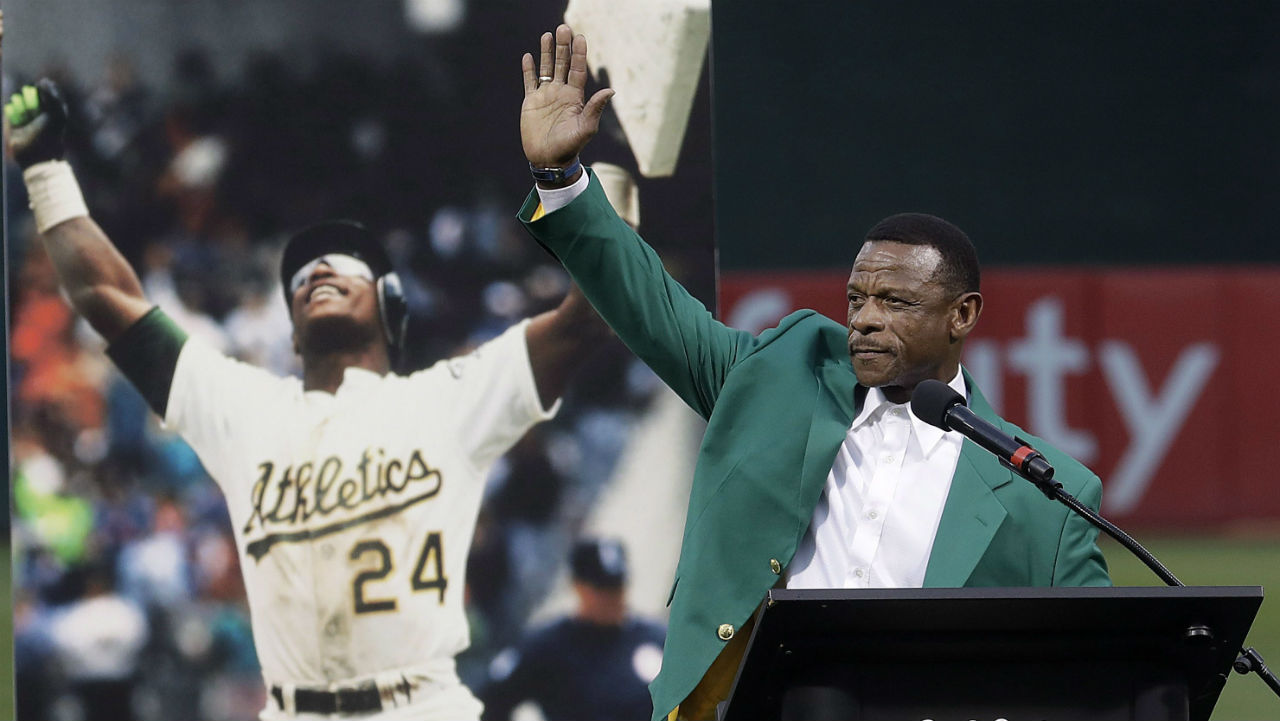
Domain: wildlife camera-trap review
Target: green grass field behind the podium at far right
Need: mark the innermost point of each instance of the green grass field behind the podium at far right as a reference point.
(1220, 562)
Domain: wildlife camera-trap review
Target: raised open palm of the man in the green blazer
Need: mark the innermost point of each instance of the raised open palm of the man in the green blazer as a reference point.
(555, 124)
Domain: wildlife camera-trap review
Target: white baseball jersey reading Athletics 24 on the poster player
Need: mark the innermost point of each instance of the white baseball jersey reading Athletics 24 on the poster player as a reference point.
(354, 512)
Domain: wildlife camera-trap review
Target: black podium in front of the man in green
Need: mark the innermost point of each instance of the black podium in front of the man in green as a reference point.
(991, 654)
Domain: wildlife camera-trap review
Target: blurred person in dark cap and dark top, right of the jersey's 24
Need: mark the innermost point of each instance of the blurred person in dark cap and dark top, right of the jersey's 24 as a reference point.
(595, 665)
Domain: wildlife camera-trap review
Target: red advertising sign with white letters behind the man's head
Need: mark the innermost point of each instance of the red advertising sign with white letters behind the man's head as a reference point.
(1158, 380)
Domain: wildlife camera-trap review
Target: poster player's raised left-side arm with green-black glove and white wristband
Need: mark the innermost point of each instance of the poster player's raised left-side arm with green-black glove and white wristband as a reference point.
(100, 284)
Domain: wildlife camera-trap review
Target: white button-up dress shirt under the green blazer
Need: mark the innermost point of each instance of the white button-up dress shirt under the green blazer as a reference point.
(881, 506)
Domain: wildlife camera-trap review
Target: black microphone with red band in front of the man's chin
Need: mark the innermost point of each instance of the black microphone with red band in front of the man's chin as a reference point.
(939, 405)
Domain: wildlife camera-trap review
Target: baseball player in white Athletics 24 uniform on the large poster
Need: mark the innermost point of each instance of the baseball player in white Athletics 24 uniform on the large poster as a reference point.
(353, 491)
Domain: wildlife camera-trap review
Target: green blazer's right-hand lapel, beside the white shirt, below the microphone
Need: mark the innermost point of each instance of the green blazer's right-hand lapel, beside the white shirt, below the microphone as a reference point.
(972, 514)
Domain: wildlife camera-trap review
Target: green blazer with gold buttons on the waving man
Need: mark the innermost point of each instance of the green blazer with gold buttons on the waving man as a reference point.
(778, 408)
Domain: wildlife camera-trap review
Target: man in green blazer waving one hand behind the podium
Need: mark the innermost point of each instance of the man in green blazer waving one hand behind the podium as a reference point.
(811, 472)
